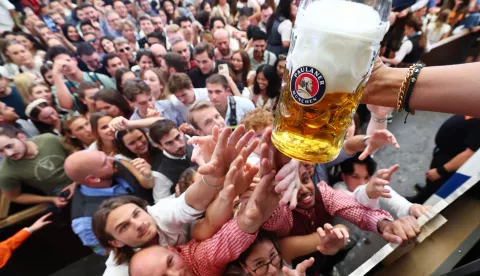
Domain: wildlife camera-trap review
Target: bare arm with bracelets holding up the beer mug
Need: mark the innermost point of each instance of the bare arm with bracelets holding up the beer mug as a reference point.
(433, 90)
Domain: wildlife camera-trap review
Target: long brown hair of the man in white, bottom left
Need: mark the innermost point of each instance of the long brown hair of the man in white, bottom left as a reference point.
(99, 224)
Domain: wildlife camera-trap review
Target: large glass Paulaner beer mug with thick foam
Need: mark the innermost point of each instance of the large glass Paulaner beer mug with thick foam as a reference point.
(333, 46)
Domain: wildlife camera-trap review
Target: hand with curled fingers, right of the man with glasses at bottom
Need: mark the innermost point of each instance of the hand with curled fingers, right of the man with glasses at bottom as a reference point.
(332, 239)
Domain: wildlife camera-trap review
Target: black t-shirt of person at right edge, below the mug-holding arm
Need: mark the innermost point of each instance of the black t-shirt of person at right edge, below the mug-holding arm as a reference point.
(457, 134)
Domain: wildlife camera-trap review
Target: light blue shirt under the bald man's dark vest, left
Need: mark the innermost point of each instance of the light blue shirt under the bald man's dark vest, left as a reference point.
(83, 226)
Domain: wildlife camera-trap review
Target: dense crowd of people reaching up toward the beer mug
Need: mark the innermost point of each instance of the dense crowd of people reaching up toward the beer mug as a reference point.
(122, 114)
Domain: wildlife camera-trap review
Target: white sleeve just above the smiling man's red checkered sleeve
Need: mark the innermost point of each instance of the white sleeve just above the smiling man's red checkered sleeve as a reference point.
(397, 205)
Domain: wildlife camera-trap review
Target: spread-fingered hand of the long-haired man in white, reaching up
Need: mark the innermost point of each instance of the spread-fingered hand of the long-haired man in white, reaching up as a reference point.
(227, 149)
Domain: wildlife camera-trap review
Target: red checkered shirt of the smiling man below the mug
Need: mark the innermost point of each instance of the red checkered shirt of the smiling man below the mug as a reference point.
(336, 203)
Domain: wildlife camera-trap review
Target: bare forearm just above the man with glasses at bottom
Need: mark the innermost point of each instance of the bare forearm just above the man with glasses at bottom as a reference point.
(297, 246)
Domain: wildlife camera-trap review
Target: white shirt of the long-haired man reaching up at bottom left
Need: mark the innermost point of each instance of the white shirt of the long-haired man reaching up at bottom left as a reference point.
(170, 214)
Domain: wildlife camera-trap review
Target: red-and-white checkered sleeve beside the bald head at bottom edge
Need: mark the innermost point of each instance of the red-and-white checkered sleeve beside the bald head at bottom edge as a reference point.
(211, 257)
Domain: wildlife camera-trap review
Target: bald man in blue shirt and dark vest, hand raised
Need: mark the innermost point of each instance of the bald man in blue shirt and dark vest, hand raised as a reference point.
(100, 177)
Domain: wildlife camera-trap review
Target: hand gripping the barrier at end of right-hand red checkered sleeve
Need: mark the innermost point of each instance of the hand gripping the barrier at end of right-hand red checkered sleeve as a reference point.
(399, 230)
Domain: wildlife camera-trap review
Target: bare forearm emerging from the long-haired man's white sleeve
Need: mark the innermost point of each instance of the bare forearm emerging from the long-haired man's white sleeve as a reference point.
(200, 195)
